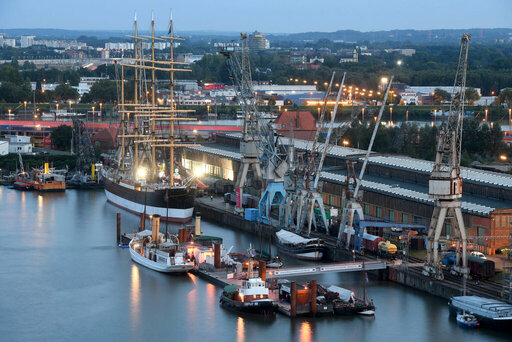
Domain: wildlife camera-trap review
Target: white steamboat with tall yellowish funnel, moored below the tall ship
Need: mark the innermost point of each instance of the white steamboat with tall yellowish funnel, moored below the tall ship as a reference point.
(149, 249)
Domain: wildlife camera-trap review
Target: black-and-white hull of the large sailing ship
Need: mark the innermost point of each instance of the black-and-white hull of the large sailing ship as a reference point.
(180, 201)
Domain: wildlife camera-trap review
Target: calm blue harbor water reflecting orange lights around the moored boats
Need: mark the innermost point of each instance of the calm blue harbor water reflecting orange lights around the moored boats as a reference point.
(63, 278)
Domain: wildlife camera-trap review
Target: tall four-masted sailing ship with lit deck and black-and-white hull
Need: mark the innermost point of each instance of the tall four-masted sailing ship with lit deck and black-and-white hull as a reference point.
(145, 178)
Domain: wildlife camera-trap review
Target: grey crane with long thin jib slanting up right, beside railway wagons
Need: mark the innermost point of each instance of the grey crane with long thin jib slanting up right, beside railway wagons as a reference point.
(353, 212)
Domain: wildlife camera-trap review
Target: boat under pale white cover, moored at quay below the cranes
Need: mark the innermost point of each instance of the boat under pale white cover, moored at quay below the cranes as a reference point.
(298, 246)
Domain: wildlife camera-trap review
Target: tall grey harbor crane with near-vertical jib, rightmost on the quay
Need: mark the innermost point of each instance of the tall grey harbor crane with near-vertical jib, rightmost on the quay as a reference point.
(445, 183)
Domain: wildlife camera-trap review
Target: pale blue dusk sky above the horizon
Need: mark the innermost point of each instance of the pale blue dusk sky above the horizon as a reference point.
(270, 16)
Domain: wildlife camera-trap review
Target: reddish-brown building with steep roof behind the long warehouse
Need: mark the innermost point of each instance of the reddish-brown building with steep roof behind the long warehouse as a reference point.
(302, 123)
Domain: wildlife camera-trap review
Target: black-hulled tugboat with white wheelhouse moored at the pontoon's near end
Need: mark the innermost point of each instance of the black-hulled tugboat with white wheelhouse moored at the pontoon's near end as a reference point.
(252, 297)
